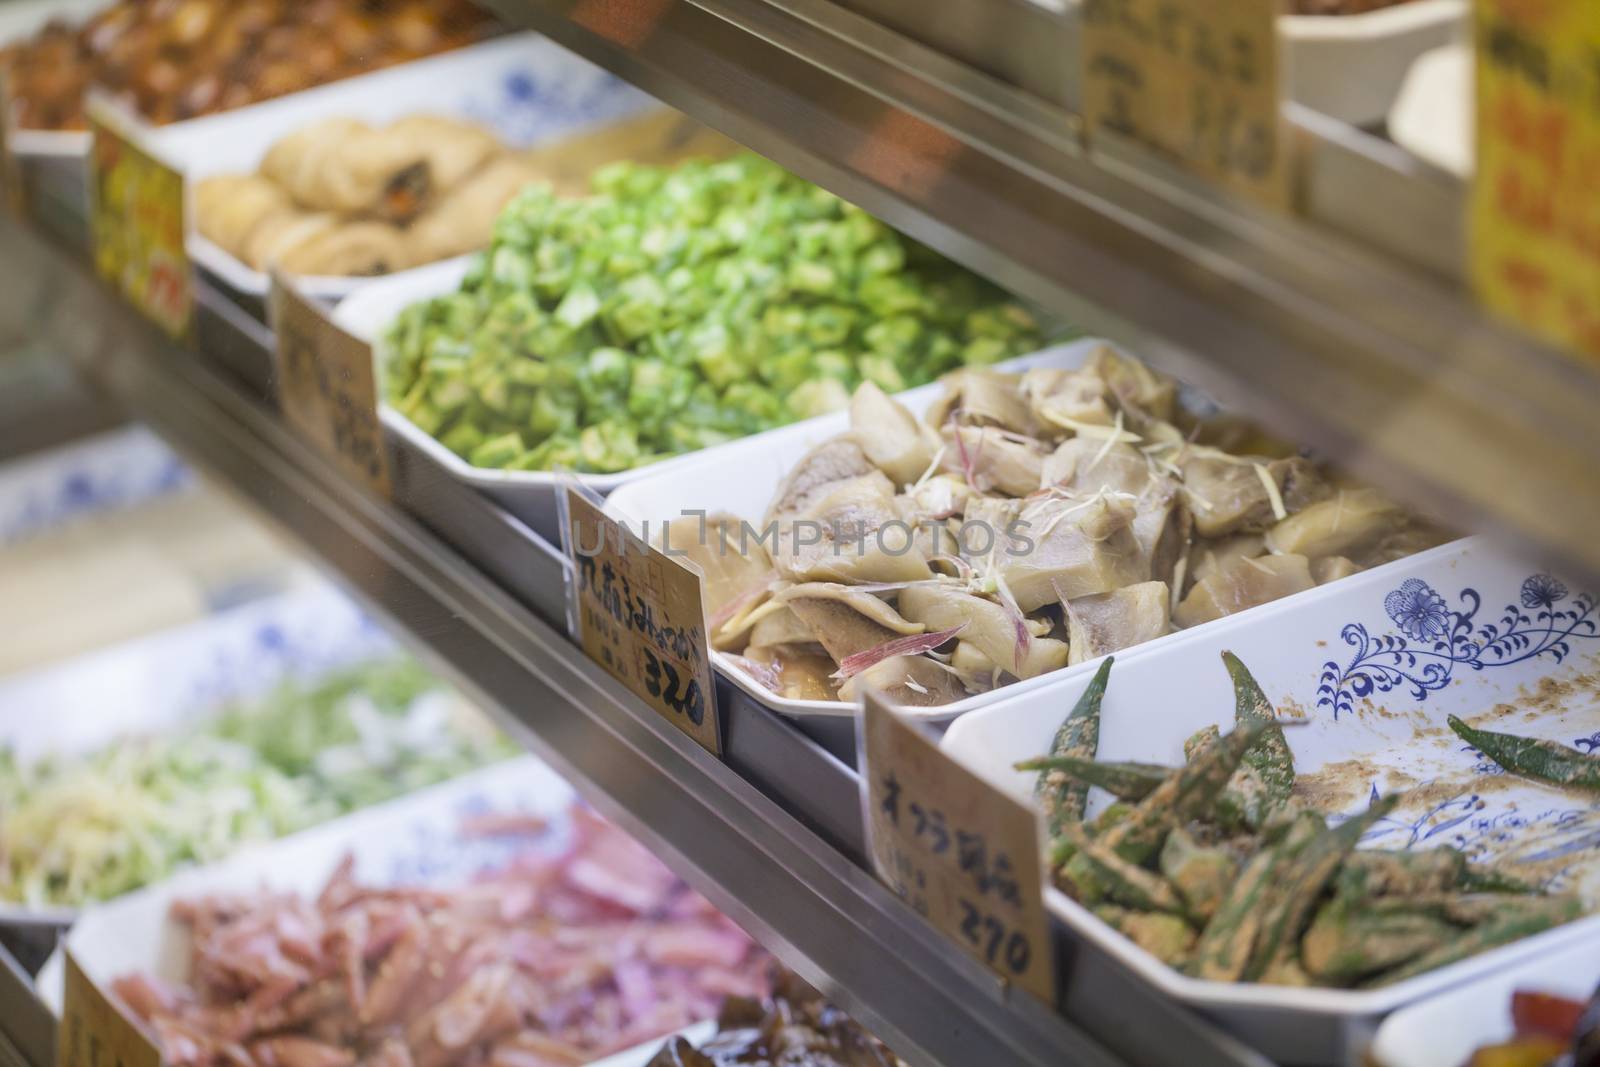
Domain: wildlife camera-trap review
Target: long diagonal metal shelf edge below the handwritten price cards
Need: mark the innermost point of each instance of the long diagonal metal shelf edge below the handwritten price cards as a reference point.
(782, 881)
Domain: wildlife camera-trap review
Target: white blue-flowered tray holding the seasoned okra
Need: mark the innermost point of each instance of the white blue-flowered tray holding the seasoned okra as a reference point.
(1370, 661)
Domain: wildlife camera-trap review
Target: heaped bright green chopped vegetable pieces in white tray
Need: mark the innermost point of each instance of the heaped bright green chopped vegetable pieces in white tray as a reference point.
(679, 308)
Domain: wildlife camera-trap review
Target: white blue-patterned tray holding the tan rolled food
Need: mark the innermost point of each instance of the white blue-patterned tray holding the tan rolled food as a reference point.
(524, 87)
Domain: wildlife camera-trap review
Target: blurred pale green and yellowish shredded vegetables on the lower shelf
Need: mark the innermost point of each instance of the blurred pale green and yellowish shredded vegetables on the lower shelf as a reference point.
(90, 828)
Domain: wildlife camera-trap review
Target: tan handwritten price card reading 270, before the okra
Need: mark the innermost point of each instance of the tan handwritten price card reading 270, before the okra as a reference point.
(962, 853)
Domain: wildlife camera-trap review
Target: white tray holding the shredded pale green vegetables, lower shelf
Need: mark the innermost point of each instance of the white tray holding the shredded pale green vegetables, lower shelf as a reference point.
(164, 682)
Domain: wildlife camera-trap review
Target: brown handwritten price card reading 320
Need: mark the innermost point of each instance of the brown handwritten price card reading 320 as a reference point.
(641, 617)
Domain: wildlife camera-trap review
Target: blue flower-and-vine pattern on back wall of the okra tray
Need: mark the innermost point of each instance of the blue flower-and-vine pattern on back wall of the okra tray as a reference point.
(1434, 639)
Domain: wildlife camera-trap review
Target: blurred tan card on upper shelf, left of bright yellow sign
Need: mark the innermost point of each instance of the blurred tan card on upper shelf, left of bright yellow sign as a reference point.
(1196, 81)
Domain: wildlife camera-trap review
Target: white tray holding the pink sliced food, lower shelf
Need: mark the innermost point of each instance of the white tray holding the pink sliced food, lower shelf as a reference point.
(414, 841)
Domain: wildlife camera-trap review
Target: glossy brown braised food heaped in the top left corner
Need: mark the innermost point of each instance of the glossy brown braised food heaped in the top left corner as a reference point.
(175, 60)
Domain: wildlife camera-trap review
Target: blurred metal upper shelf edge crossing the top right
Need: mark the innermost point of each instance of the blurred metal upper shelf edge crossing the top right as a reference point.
(1345, 327)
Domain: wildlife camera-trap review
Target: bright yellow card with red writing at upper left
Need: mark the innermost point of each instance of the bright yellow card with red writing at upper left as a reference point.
(138, 220)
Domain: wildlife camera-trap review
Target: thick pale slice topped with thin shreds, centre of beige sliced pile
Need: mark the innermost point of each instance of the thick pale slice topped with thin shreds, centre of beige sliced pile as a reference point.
(1073, 549)
